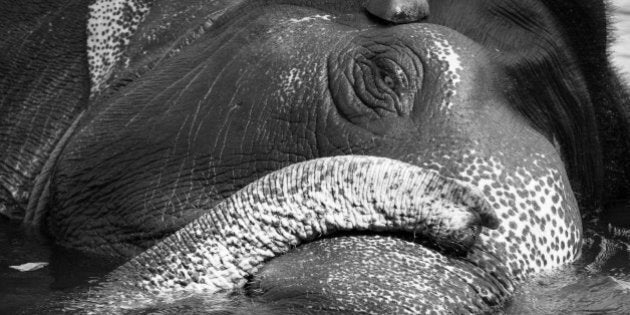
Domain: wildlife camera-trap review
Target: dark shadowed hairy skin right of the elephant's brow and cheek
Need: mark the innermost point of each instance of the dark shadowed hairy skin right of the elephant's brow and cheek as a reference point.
(554, 53)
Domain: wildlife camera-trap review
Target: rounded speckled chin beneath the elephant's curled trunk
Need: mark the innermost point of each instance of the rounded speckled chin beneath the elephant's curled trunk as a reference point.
(382, 275)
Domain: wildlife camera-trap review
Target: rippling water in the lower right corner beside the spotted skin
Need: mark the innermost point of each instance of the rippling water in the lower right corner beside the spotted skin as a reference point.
(597, 284)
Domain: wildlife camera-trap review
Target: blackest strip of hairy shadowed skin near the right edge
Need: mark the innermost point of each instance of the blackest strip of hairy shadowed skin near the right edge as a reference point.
(587, 26)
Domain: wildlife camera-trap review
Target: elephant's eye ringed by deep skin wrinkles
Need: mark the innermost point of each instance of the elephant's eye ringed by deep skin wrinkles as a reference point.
(374, 82)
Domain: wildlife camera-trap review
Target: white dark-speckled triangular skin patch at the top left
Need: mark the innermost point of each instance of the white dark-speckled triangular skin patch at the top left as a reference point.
(110, 27)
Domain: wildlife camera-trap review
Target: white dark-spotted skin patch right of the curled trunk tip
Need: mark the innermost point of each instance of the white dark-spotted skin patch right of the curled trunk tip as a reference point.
(540, 223)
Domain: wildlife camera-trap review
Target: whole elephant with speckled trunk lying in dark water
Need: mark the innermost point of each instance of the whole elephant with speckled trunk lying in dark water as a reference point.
(399, 156)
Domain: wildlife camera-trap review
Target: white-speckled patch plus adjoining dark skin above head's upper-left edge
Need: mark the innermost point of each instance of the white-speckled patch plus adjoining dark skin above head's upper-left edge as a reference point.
(127, 38)
